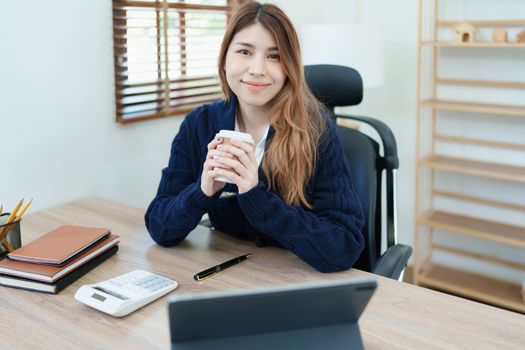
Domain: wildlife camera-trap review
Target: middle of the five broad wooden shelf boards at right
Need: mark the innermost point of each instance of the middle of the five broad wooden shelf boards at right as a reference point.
(477, 168)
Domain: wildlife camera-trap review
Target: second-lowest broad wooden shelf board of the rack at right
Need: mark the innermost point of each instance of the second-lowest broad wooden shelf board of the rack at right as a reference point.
(475, 227)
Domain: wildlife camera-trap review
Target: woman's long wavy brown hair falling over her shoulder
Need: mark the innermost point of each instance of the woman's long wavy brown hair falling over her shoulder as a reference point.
(295, 114)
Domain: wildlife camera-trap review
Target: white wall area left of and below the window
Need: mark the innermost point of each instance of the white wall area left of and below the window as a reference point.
(59, 138)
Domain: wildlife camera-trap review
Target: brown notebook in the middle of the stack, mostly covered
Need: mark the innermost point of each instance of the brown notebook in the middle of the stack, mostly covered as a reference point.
(50, 274)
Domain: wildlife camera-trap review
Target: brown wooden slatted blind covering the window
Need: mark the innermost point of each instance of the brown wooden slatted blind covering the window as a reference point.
(166, 56)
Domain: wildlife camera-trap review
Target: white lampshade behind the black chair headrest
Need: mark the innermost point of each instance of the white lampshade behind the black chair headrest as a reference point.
(357, 46)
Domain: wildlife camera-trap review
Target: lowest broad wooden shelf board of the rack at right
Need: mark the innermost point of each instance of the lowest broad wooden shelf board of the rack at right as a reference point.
(475, 286)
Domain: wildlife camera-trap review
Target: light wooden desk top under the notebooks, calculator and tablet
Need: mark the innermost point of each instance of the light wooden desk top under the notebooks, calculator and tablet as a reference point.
(399, 315)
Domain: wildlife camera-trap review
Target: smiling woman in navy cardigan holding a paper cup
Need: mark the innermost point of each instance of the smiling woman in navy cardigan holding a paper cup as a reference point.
(293, 188)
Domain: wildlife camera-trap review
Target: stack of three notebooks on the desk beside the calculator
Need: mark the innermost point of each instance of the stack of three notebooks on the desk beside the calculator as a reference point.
(58, 258)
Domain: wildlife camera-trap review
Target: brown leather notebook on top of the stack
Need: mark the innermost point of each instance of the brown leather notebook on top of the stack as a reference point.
(59, 245)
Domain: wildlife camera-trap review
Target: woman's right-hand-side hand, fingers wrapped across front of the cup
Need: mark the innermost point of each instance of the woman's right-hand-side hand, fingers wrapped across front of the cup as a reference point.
(242, 169)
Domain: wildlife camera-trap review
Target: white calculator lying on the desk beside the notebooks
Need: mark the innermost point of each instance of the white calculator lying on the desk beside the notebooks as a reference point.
(124, 294)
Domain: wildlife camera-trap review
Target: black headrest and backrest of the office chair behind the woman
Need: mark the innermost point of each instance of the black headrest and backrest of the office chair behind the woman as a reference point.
(342, 86)
